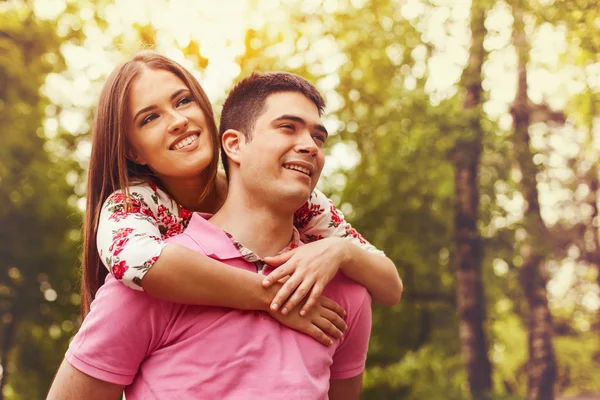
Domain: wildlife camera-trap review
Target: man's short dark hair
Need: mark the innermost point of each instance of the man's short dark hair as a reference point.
(245, 103)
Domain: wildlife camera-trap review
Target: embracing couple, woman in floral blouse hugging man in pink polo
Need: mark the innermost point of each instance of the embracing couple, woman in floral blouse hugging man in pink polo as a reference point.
(198, 283)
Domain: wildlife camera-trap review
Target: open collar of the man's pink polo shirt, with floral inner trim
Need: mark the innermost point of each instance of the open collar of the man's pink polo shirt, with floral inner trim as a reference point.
(219, 244)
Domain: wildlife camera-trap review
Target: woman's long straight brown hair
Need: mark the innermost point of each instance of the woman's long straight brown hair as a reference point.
(109, 168)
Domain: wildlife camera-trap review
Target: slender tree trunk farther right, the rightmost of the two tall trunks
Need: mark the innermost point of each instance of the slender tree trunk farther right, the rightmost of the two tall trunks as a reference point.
(541, 366)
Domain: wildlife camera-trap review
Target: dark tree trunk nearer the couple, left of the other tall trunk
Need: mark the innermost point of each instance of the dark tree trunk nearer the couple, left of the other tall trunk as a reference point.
(469, 246)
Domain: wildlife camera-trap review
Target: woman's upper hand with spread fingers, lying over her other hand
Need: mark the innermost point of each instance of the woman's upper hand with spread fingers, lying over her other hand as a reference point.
(310, 268)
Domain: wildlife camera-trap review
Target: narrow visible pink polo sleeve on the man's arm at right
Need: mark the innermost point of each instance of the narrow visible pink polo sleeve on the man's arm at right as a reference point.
(350, 357)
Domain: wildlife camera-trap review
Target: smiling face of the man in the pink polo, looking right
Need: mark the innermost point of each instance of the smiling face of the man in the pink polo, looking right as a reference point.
(284, 157)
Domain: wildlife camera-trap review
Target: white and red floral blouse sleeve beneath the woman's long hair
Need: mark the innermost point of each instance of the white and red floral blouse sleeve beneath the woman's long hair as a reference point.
(129, 242)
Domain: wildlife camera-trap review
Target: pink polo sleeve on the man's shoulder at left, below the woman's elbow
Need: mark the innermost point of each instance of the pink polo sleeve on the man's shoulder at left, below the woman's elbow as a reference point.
(104, 346)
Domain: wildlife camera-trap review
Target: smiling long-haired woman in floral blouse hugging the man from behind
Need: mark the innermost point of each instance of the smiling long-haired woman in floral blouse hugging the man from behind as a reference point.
(145, 179)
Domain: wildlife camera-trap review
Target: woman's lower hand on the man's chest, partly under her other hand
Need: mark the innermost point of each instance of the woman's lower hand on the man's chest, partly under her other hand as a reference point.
(320, 322)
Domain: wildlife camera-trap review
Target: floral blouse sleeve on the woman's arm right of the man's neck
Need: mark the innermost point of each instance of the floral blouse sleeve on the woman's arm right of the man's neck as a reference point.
(318, 218)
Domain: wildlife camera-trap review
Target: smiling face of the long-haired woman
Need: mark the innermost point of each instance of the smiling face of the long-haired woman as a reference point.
(167, 130)
